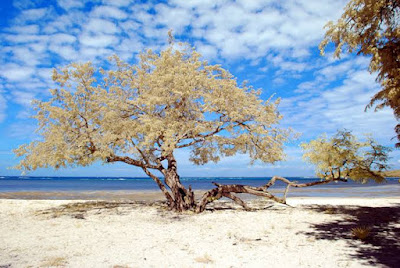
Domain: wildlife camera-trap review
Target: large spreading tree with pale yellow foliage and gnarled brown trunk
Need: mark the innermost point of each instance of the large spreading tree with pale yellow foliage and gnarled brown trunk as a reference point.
(141, 114)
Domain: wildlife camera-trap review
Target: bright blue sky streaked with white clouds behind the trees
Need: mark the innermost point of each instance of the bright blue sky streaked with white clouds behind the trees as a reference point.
(272, 44)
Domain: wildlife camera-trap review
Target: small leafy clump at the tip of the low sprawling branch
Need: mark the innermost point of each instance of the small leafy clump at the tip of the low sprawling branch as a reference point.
(343, 157)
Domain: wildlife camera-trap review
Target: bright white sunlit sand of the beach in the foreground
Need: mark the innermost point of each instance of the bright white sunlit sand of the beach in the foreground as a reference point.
(145, 236)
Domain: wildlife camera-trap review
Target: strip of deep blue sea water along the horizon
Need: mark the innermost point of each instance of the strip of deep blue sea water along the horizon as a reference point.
(80, 184)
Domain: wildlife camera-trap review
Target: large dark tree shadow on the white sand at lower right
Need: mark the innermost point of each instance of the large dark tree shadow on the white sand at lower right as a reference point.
(380, 248)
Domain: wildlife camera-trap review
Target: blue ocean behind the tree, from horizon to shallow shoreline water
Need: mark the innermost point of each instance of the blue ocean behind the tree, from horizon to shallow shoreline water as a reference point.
(53, 186)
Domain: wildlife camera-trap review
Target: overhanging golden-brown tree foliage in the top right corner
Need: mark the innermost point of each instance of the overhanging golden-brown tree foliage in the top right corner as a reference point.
(371, 28)
